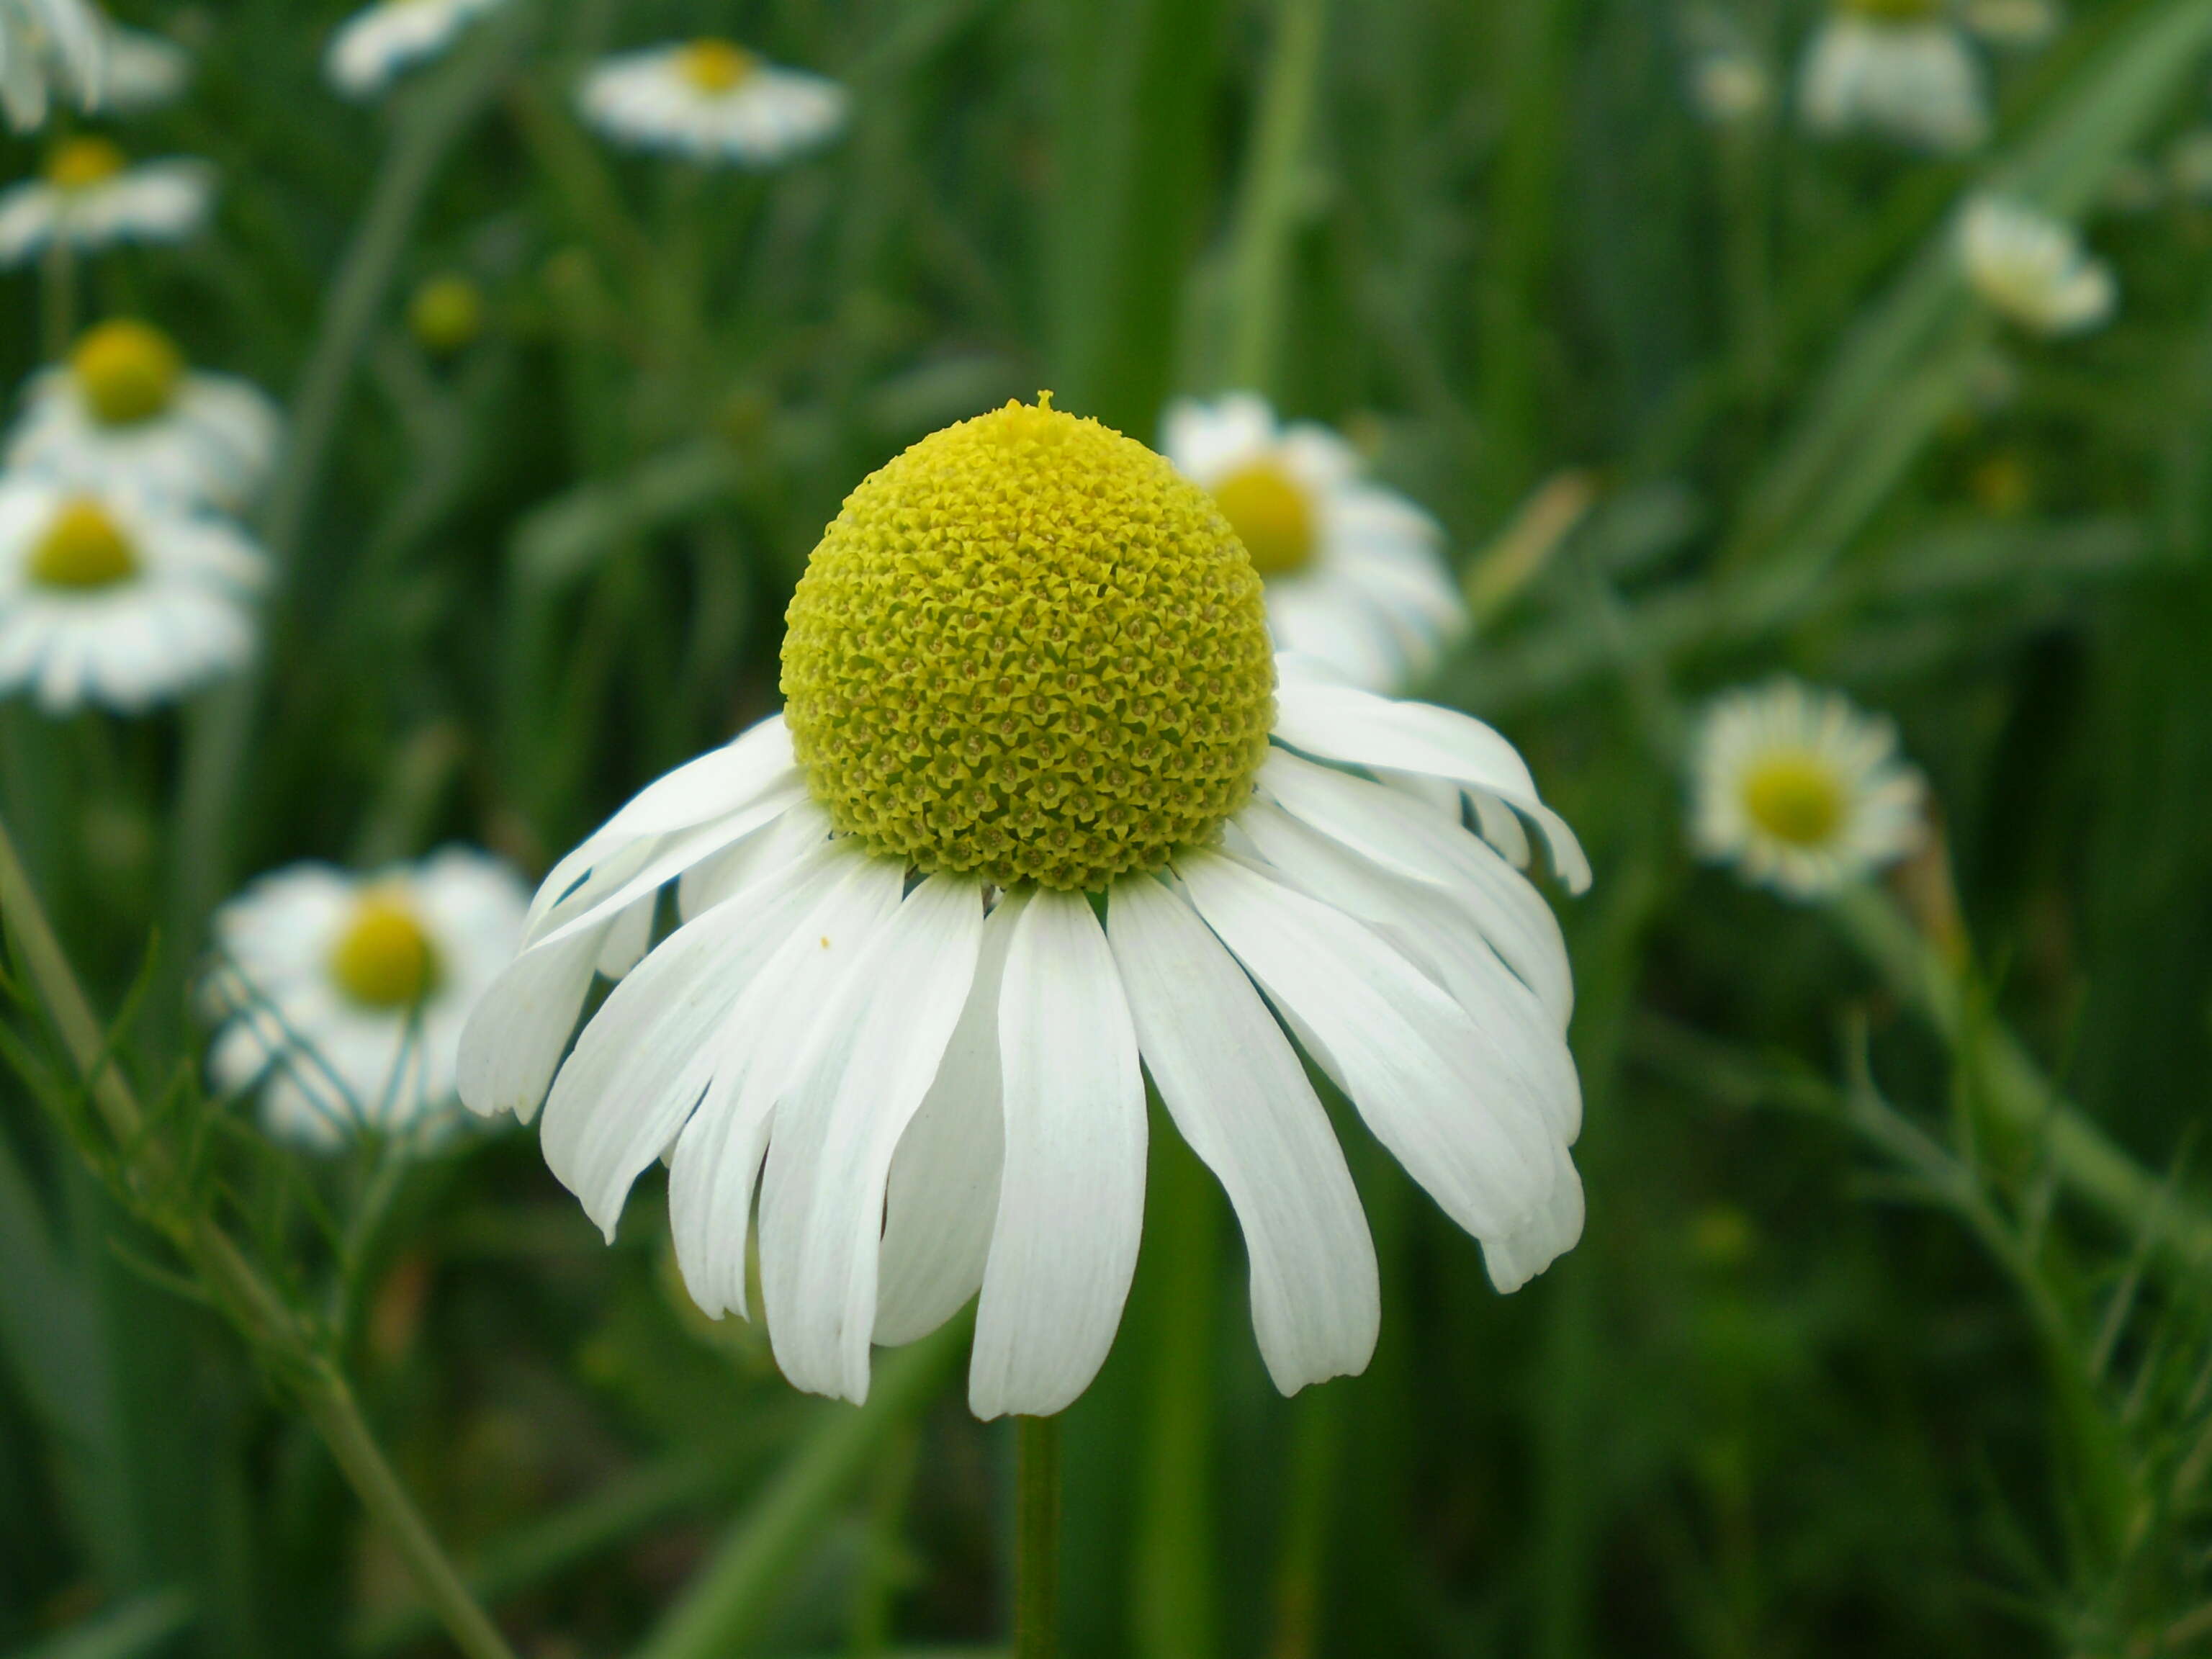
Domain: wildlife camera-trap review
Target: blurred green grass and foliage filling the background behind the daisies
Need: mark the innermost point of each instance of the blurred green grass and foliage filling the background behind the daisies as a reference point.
(1841, 1366)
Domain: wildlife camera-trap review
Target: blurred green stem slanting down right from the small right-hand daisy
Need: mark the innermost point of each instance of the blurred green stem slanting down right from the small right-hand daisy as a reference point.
(2014, 1089)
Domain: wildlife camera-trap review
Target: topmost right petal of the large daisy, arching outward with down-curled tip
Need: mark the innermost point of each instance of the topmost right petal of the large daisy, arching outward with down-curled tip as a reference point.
(1364, 729)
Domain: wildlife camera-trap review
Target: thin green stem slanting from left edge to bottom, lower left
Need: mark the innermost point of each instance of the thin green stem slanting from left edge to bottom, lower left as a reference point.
(271, 1326)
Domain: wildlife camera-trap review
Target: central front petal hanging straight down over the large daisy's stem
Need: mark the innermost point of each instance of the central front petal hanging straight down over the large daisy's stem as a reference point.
(1072, 1196)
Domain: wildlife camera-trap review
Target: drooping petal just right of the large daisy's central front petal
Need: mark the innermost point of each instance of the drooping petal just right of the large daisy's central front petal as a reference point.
(1242, 1100)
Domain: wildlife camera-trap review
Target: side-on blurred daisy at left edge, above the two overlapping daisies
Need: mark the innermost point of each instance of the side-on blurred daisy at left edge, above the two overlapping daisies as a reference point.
(94, 198)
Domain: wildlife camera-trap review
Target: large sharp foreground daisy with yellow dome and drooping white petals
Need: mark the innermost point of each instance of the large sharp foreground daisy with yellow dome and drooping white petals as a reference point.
(1039, 822)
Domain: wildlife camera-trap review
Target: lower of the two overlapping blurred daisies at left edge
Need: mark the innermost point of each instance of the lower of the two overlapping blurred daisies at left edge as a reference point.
(118, 601)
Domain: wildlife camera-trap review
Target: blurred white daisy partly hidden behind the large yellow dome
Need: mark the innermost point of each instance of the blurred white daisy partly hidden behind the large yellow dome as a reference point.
(1355, 574)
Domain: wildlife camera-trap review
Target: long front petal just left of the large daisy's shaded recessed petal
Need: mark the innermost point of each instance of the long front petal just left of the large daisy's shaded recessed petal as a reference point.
(839, 1125)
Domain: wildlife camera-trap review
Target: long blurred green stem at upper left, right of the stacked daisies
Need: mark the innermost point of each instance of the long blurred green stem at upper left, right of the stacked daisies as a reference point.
(222, 733)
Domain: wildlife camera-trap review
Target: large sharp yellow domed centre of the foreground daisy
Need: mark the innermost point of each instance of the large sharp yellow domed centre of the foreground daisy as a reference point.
(1032, 651)
